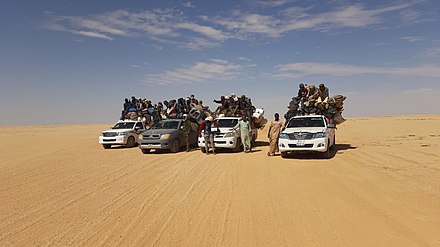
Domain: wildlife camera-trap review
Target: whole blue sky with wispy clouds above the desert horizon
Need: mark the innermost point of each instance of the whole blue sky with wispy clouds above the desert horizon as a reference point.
(75, 61)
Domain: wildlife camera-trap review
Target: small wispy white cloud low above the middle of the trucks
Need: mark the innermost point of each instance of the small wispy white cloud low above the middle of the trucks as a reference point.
(214, 70)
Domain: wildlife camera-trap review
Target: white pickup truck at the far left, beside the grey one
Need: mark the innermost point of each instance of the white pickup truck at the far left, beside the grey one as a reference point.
(125, 133)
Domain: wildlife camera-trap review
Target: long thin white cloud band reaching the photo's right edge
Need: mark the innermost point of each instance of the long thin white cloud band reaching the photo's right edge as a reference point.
(296, 70)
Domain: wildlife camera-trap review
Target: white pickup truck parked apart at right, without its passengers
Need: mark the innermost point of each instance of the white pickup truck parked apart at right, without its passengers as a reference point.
(310, 133)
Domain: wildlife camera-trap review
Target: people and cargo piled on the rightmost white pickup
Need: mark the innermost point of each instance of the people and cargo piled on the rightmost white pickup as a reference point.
(312, 100)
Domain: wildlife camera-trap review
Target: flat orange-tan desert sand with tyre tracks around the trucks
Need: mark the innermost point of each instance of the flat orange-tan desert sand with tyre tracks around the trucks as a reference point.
(59, 187)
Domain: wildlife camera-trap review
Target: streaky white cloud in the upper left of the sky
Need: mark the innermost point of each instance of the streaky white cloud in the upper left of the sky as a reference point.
(162, 25)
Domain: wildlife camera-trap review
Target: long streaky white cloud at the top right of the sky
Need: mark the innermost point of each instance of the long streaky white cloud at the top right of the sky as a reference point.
(296, 19)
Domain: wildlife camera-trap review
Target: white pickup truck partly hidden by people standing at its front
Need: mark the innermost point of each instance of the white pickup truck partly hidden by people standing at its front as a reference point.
(227, 137)
